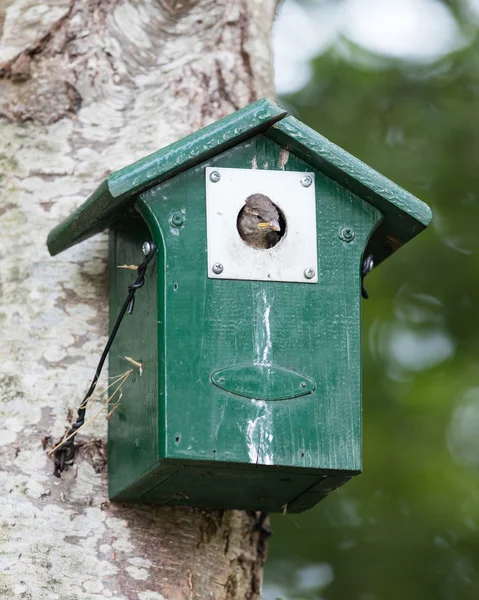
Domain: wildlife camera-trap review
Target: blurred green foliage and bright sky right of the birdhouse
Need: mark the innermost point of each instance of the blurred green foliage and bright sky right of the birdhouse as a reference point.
(396, 83)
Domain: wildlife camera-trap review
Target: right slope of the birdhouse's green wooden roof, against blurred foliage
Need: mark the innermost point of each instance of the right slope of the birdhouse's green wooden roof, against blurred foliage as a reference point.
(404, 215)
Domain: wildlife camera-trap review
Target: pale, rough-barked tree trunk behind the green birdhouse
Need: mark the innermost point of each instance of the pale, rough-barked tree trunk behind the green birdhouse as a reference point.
(87, 87)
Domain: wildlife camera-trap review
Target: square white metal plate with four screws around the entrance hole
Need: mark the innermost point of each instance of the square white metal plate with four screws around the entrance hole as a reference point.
(292, 255)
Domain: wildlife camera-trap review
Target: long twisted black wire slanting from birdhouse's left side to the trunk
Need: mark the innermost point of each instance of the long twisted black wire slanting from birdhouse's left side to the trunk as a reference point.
(66, 451)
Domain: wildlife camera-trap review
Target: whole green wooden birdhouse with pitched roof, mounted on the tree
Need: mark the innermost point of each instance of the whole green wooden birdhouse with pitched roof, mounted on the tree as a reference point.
(248, 325)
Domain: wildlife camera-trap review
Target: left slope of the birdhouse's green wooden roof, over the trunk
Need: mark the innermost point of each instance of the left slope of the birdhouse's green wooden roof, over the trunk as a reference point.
(116, 194)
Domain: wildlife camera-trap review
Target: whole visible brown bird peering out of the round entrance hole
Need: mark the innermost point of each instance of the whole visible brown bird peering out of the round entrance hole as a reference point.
(258, 222)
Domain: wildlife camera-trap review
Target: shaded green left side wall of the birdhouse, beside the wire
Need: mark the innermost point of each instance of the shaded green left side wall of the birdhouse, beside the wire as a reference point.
(133, 429)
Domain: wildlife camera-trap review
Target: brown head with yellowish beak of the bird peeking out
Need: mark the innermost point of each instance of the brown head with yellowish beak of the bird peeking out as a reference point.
(258, 217)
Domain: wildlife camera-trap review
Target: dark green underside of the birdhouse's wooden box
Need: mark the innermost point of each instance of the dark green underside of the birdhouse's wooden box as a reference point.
(209, 484)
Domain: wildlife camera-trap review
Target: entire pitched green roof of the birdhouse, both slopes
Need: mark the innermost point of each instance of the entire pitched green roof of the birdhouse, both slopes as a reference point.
(404, 216)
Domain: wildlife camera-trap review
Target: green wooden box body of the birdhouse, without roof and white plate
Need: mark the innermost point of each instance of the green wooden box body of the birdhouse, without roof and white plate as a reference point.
(215, 448)
